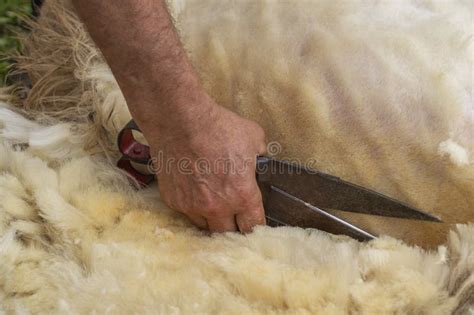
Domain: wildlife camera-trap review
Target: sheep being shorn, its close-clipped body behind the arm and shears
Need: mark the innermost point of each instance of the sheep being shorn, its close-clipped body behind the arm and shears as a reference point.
(377, 94)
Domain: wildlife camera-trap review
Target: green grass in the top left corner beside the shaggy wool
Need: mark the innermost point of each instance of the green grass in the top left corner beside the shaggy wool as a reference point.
(10, 23)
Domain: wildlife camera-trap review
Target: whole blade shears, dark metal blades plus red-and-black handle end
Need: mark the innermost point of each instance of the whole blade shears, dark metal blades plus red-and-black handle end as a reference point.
(292, 194)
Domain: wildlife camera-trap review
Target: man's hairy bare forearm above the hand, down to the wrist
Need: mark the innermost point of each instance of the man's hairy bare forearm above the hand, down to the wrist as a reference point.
(143, 50)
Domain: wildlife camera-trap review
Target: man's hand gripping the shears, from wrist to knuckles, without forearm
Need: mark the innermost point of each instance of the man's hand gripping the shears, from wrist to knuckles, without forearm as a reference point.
(206, 169)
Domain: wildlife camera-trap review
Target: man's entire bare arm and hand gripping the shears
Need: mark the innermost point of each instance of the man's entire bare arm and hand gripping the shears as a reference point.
(178, 119)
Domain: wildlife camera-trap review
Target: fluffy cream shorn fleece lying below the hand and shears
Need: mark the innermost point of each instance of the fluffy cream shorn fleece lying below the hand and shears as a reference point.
(78, 240)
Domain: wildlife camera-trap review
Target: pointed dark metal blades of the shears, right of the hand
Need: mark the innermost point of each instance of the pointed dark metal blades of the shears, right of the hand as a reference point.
(307, 192)
